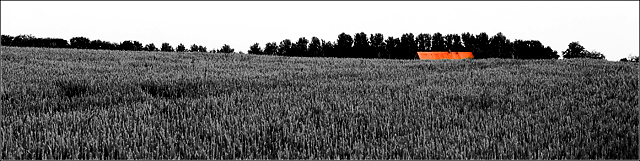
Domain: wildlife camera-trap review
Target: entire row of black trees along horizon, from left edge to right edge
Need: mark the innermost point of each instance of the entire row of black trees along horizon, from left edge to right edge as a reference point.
(360, 45)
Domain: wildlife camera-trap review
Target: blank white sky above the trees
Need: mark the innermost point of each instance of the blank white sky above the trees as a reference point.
(608, 27)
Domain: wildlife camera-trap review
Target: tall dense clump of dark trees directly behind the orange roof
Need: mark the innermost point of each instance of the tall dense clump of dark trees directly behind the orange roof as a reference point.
(376, 45)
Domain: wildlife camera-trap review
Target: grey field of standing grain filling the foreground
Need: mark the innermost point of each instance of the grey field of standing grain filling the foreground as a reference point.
(92, 104)
